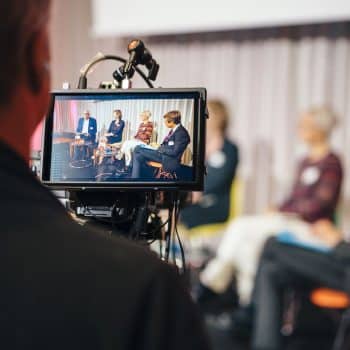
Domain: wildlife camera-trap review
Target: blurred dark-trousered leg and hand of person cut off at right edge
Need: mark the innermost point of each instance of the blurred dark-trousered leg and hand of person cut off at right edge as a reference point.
(285, 265)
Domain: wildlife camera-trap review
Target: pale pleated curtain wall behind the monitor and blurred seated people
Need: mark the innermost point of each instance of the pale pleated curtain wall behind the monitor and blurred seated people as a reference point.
(266, 76)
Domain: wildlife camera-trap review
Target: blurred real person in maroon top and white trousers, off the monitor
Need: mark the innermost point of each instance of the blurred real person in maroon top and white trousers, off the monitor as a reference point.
(314, 196)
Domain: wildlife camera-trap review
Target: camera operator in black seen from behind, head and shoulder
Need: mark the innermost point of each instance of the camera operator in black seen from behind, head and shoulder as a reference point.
(62, 286)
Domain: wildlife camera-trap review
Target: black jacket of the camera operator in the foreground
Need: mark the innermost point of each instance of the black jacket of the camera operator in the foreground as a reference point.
(68, 287)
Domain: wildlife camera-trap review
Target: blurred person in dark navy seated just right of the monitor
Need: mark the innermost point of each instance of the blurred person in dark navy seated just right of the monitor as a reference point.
(213, 205)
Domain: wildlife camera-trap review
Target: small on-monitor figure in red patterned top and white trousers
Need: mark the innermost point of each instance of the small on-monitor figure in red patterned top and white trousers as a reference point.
(142, 136)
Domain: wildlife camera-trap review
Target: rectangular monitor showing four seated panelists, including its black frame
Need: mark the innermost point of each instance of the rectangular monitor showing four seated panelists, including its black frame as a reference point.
(149, 138)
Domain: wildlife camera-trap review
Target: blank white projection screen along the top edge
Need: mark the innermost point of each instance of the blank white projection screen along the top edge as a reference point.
(115, 18)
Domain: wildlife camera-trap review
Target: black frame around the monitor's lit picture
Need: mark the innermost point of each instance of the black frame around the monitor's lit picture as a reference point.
(200, 115)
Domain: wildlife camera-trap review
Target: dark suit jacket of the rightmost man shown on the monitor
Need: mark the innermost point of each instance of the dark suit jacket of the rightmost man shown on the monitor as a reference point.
(173, 148)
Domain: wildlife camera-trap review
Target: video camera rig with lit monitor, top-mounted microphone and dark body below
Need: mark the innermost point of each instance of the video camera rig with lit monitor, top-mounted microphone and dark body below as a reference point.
(115, 150)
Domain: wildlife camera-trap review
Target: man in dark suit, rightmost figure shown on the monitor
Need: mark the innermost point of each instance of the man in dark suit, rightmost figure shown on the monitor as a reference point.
(168, 154)
